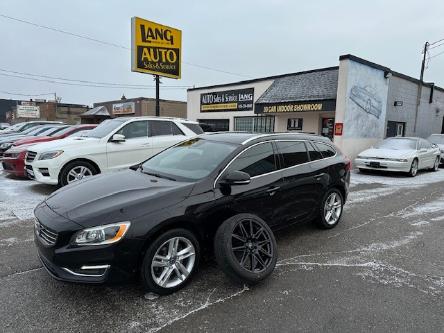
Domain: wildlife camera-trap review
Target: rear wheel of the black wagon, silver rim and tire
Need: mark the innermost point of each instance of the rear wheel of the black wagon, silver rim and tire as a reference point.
(330, 211)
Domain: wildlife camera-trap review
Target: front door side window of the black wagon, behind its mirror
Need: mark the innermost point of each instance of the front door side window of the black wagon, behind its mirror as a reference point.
(255, 161)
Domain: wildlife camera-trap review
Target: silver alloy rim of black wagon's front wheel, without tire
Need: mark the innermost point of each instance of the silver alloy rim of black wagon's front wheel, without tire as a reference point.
(173, 262)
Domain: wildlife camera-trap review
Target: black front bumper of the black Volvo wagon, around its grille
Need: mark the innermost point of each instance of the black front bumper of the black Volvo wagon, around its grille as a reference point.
(83, 264)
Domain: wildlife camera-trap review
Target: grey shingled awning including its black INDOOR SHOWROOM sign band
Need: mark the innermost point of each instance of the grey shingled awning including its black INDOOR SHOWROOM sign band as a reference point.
(302, 92)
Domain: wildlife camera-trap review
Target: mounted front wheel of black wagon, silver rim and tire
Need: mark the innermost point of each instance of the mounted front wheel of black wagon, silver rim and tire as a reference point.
(170, 261)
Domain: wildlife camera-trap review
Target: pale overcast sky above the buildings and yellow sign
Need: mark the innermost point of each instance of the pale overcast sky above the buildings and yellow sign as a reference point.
(250, 38)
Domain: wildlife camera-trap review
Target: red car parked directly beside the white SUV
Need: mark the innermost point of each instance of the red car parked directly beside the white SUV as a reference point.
(14, 159)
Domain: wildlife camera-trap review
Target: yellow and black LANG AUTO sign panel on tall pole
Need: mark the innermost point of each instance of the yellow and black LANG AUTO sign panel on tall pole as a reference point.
(155, 48)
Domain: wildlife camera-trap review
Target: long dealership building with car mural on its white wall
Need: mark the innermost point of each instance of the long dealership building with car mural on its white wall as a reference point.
(356, 104)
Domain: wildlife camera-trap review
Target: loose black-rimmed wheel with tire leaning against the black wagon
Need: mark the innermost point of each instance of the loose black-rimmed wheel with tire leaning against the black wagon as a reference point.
(245, 249)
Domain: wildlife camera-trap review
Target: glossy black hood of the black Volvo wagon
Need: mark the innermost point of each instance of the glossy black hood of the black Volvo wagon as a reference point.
(116, 197)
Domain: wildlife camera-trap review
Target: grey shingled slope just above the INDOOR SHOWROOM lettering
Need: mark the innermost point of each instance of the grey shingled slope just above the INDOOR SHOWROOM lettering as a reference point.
(310, 86)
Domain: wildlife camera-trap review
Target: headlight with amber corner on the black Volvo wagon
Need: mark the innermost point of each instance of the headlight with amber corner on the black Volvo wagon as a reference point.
(105, 234)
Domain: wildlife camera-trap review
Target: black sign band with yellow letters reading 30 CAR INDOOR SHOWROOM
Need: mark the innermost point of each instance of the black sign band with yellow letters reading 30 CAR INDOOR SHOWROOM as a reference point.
(309, 106)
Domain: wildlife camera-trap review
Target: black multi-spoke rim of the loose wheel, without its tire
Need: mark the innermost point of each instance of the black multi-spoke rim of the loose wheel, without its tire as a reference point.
(252, 246)
